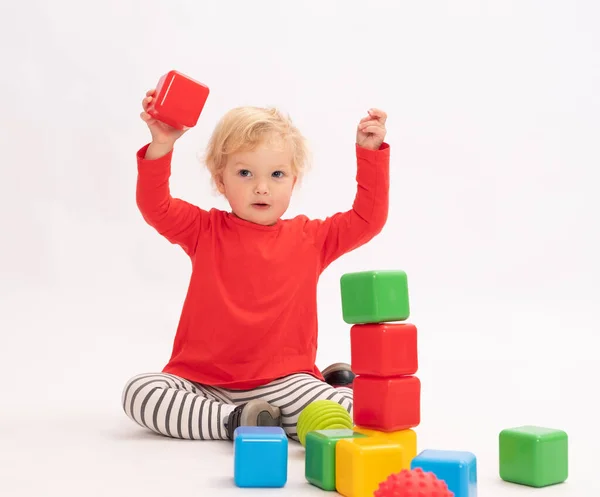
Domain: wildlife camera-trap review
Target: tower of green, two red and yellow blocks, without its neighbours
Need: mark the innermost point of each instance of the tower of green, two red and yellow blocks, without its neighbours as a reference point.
(387, 394)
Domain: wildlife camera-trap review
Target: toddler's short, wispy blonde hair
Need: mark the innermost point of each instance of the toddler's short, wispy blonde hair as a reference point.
(244, 128)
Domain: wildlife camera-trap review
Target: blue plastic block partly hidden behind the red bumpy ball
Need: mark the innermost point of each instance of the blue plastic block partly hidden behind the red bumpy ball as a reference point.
(457, 468)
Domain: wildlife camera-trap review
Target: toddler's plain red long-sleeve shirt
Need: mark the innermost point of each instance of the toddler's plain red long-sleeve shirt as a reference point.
(250, 313)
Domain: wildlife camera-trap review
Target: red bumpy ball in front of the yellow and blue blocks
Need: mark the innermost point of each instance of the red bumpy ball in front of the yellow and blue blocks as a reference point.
(413, 483)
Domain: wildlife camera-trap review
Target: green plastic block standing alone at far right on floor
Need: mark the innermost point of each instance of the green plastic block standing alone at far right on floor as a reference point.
(533, 456)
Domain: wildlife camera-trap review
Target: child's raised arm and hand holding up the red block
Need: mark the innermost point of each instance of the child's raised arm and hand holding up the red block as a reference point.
(178, 221)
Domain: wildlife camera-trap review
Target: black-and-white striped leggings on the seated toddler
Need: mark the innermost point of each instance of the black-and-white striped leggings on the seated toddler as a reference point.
(178, 408)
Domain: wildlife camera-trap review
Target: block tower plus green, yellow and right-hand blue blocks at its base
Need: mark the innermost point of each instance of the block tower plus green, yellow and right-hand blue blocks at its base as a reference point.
(387, 399)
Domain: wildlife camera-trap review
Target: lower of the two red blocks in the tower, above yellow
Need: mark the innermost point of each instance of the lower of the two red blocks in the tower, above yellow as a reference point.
(387, 404)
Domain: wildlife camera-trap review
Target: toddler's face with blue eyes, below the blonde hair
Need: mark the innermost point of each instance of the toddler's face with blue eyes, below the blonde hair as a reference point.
(258, 184)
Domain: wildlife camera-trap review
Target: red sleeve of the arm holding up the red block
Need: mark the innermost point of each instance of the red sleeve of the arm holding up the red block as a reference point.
(177, 220)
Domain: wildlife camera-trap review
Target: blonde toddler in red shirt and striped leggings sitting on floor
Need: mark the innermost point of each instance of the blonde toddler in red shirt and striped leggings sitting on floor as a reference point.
(245, 347)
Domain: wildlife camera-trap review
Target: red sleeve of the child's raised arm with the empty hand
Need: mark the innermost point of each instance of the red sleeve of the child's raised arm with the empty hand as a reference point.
(346, 231)
